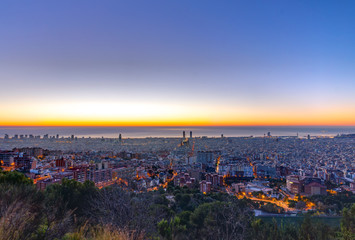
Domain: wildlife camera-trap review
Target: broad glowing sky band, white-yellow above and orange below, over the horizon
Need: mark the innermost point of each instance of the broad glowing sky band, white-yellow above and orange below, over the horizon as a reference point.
(106, 114)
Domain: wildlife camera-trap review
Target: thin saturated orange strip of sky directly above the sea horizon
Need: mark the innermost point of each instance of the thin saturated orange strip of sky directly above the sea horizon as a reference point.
(193, 122)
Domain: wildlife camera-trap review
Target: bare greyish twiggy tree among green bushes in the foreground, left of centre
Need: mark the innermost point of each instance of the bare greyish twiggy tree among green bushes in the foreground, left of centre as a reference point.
(135, 213)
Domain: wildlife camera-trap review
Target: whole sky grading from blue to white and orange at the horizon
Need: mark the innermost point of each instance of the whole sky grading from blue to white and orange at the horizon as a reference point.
(179, 62)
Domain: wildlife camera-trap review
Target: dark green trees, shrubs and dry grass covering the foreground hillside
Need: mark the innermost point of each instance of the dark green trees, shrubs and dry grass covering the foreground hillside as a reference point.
(73, 210)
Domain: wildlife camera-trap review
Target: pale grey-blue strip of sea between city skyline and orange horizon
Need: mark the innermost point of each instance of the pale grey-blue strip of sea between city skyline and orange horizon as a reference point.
(144, 132)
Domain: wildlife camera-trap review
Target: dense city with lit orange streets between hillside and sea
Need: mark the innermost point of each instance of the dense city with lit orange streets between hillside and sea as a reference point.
(240, 166)
